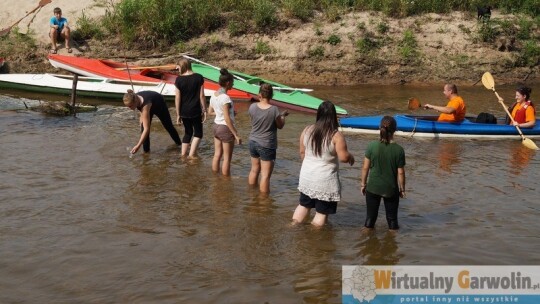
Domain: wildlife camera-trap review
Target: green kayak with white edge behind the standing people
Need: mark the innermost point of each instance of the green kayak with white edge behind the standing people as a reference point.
(284, 96)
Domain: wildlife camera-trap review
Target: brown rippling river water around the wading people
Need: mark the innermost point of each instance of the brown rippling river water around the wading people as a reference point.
(82, 222)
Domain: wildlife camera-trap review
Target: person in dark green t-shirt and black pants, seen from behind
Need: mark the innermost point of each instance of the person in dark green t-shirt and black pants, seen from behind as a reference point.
(384, 162)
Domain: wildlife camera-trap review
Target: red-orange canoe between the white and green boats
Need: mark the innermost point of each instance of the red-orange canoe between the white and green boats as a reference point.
(116, 70)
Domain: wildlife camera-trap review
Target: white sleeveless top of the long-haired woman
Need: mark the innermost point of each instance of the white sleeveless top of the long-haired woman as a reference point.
(319, 175)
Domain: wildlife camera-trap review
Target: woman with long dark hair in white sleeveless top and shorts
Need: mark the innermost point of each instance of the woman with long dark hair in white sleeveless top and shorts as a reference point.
(322, 147)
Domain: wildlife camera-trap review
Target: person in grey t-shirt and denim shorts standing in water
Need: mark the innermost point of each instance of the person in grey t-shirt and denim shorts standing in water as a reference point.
(265, 120)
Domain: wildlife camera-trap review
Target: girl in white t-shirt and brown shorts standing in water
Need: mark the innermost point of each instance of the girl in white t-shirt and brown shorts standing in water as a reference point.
(225, 134)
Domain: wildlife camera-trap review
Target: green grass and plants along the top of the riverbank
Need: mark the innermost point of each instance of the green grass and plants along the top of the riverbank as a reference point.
(147, 24)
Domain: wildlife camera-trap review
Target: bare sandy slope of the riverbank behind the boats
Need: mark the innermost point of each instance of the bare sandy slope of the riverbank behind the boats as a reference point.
(447, 50)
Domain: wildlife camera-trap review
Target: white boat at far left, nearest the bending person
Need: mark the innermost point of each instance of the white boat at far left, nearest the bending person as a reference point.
(86, 86)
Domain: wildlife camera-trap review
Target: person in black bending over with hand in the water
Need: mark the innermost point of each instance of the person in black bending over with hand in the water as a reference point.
(150, 103)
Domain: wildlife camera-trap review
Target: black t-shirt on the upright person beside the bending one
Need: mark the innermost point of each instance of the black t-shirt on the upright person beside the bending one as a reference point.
(190, 88)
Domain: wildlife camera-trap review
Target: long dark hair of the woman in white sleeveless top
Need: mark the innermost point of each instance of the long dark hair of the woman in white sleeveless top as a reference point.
(324, 128)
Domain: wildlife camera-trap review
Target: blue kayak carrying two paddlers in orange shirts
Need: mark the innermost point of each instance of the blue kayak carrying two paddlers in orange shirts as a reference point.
(427, 126)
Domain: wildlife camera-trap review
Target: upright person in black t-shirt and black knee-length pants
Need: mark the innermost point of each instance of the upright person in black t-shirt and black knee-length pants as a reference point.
(190, 107)
